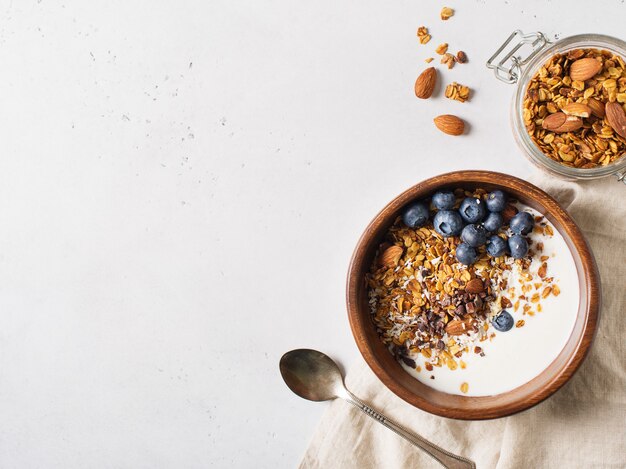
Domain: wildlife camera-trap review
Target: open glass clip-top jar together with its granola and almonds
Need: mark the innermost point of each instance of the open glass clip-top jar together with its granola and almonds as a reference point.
(569, 109)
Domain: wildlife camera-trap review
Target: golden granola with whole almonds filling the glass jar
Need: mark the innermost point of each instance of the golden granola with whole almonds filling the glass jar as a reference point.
(575, 108)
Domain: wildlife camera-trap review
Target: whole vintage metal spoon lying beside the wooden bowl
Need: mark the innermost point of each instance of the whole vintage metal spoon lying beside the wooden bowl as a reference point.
(316, 377)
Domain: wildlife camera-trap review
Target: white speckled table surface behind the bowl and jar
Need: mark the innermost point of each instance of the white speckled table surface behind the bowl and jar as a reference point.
(181, 188)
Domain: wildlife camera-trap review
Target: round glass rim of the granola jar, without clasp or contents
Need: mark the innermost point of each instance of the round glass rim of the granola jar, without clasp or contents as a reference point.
(522, 137)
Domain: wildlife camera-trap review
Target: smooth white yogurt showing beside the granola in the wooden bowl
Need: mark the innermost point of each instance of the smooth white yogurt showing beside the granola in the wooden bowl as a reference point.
(513, 358)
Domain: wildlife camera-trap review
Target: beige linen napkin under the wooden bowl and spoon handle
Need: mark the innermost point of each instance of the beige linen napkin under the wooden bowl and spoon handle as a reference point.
(582, 426)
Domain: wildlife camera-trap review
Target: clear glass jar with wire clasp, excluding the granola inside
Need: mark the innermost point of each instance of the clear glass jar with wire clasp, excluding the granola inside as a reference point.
(517, 61)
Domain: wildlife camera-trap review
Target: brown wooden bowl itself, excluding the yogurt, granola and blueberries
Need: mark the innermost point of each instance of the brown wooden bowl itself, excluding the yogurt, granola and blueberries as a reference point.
(390, 372)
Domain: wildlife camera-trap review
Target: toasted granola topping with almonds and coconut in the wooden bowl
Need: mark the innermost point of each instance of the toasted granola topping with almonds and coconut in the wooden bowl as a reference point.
(424, 301)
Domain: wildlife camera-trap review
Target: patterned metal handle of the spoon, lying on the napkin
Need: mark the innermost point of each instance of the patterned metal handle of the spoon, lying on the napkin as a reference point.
(446, 458)
